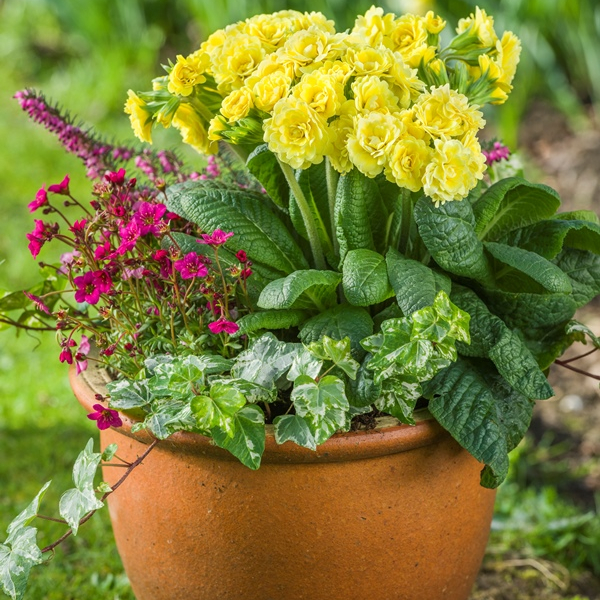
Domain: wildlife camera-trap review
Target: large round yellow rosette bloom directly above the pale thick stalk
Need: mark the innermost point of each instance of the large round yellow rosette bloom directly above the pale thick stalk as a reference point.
(296, 133)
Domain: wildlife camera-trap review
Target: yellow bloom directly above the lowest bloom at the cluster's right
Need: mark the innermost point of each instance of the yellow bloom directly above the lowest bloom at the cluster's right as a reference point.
(445, 112)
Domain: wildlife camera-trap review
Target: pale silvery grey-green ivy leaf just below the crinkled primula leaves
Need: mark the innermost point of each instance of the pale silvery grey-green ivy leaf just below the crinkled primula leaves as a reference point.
(265, 361)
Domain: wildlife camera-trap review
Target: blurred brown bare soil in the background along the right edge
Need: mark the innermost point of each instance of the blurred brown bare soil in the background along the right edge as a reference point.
(568, 161)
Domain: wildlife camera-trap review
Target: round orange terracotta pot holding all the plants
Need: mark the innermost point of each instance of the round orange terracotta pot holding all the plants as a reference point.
(391, 513)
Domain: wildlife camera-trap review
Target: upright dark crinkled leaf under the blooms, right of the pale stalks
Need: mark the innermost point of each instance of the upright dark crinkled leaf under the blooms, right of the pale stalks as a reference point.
(359, 211)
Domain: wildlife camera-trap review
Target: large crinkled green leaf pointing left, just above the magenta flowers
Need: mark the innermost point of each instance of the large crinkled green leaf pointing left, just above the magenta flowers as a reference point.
(258, 230)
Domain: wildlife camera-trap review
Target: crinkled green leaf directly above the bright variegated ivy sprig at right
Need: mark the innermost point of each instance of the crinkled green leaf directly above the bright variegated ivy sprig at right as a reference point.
(414, 284)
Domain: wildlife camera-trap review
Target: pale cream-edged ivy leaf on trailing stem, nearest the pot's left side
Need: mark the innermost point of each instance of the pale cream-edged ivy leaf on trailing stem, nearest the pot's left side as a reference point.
(78, 501)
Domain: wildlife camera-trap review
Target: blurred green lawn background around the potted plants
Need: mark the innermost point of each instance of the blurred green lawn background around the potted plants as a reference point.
(85, 55)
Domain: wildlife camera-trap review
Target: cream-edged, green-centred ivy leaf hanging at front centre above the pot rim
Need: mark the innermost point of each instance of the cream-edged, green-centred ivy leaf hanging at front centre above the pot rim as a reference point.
(323, 404)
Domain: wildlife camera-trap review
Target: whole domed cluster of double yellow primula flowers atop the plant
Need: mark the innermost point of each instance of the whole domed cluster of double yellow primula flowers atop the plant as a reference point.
(382, 98)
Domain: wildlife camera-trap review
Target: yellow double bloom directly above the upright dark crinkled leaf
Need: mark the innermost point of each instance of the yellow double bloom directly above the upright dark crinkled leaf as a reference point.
(374, 136)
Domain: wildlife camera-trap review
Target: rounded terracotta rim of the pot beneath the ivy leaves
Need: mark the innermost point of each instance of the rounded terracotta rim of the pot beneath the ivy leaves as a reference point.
(388, 437)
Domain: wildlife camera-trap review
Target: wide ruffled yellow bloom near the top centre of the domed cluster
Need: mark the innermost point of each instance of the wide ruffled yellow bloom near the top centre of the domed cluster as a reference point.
(309, 48)
